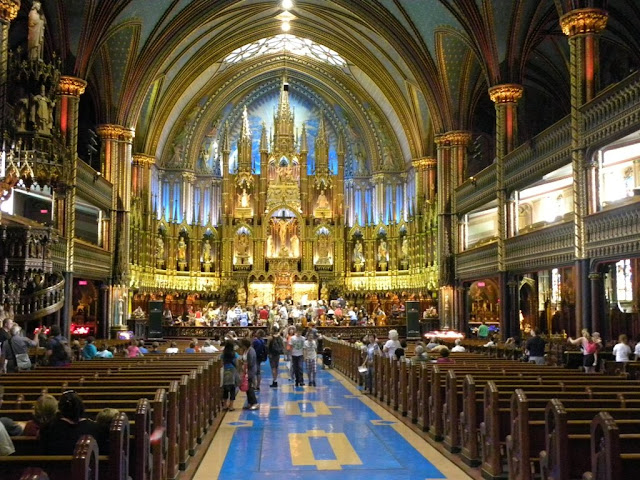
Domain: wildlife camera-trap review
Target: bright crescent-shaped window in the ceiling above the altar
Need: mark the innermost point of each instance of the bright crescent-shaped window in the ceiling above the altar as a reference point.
(286, 43)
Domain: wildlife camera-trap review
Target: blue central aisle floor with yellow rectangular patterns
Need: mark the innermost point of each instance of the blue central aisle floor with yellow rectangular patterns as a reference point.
(323, 432)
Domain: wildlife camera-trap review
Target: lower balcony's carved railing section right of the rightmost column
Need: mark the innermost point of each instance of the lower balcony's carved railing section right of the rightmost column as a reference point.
(614, 232)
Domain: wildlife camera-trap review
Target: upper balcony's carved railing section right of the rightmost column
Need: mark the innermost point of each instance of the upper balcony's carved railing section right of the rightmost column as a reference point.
(614, 112)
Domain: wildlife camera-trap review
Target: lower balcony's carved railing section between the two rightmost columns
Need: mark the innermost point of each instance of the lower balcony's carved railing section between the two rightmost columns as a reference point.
(550, 245)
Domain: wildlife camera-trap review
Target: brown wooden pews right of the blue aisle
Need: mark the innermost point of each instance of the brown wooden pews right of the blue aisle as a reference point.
(511, 419)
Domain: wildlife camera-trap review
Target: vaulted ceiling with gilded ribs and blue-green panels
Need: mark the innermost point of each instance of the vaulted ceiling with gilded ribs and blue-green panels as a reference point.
(423, 65)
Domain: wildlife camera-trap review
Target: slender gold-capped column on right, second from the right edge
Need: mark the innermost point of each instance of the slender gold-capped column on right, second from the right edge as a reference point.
(505, 97)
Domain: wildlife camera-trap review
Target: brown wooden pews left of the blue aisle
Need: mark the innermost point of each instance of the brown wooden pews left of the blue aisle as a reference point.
(175, 397)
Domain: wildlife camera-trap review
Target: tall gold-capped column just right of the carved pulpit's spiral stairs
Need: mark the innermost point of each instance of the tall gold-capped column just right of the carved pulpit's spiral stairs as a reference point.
(68, 100)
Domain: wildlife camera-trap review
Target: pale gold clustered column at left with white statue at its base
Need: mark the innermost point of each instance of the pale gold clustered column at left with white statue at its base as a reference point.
(116, 156)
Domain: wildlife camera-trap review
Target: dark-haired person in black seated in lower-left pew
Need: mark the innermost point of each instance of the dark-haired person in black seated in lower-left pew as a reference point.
(60, 436)
